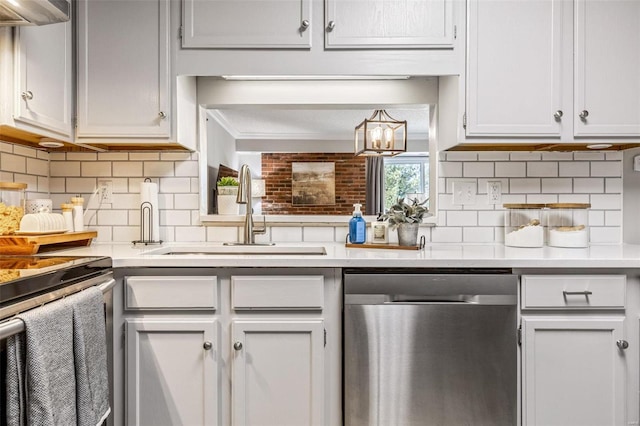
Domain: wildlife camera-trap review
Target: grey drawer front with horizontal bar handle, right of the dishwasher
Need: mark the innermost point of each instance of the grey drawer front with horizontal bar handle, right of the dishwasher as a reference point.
(573, 291)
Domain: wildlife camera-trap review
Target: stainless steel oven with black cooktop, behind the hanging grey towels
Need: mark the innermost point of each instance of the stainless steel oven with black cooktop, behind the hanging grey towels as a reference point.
(27, 282)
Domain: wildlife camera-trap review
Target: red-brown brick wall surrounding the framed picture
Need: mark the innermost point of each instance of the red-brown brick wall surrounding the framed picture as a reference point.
(349, 183)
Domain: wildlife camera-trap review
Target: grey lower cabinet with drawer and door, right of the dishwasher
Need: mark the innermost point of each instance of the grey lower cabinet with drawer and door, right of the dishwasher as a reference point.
(575, 357)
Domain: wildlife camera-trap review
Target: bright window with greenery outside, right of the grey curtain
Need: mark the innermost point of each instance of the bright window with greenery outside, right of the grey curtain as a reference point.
(406, 175)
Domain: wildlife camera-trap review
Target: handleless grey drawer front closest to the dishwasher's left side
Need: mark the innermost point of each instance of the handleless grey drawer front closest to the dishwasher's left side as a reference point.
(277, 292)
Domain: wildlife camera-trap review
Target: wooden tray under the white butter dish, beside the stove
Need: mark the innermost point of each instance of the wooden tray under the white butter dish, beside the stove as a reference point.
(32, 244)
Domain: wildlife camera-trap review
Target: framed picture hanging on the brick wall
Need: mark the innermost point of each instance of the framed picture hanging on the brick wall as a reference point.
(313, 183)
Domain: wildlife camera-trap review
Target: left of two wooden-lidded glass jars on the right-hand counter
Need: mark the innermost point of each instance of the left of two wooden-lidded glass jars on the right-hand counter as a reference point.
(523, 225)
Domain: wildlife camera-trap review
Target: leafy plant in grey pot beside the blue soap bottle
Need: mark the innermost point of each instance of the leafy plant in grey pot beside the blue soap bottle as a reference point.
(406, 216)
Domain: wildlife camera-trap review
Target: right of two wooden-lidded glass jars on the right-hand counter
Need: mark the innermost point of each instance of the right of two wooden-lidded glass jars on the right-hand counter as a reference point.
(568, 225)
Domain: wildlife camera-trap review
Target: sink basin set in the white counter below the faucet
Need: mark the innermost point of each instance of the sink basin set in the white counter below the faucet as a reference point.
(239, 250)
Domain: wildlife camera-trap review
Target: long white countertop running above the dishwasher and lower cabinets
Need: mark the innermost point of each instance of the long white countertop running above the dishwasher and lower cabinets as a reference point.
(338, 256)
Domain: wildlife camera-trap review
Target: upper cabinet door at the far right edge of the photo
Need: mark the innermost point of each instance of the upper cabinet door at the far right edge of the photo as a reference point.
(607, 80)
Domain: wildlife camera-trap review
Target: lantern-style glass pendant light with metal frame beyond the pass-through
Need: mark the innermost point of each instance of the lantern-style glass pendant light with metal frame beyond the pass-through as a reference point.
(381, 135)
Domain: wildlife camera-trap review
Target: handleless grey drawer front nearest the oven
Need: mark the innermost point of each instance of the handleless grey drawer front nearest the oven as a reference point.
(172, 292)
